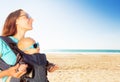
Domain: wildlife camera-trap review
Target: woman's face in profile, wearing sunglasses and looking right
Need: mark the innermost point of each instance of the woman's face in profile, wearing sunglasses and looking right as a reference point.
(24, 21)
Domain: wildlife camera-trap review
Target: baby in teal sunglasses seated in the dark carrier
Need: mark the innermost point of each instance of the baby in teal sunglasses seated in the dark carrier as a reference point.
(30, 47)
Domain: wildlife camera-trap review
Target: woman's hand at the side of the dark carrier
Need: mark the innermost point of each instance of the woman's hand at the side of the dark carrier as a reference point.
(15, 72)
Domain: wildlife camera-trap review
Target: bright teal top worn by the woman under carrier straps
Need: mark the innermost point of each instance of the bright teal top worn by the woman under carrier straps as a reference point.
(7, 54)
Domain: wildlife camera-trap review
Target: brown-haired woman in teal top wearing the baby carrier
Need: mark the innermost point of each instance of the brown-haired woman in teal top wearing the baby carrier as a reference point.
(15, 27)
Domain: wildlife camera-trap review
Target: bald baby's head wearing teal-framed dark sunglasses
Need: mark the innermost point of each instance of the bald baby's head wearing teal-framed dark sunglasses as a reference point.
(28, 45)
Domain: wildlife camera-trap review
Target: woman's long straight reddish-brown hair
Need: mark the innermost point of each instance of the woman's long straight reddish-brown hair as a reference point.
(10, 28)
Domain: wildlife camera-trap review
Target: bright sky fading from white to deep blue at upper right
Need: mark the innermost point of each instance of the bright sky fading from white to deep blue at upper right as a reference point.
(70, 24)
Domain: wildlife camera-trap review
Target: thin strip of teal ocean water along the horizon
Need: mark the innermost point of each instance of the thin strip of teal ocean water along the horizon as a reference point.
(83, 51)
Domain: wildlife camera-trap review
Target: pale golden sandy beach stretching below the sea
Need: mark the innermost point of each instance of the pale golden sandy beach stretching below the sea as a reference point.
(85, 68)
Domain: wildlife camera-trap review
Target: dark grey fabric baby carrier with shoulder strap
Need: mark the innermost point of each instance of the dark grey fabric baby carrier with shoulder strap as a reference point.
(36, 71)
